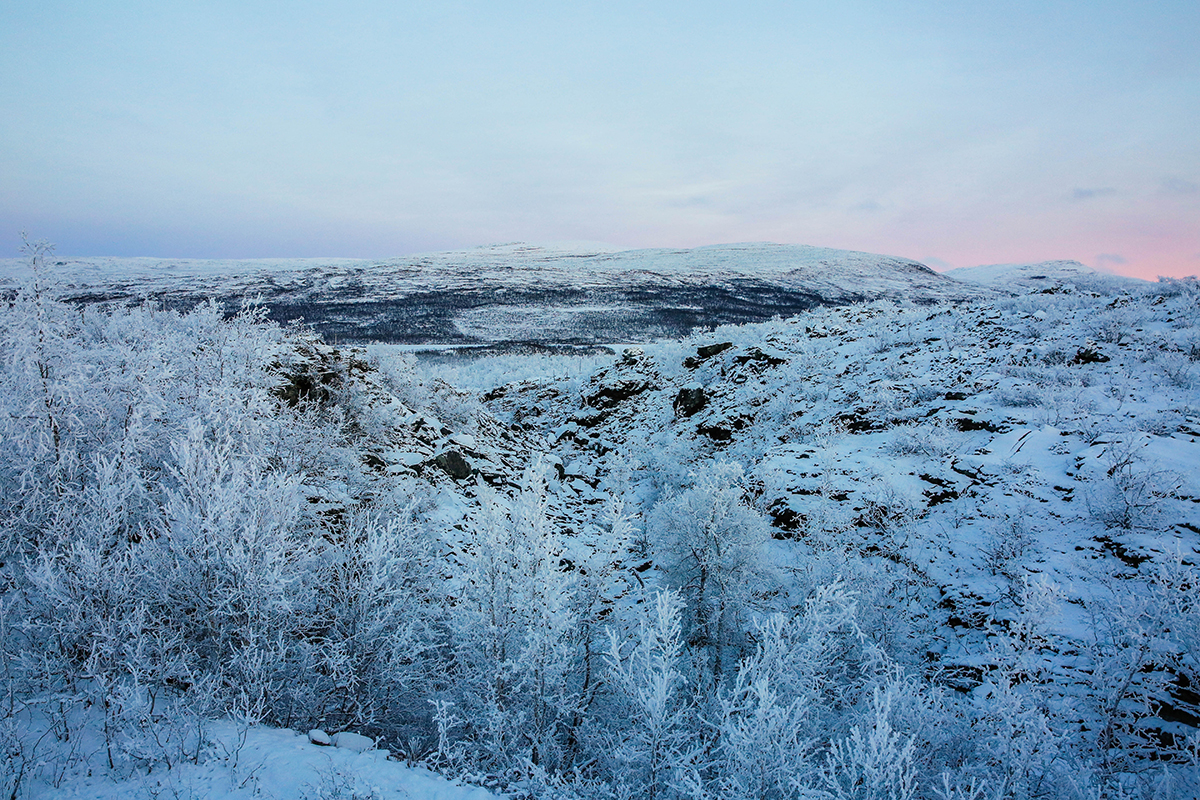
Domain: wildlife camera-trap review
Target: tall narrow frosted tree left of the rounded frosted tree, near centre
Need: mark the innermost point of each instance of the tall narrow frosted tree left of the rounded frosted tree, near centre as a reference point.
(513, 623)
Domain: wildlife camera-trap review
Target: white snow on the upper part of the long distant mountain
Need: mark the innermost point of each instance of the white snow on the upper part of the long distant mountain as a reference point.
(515, 268)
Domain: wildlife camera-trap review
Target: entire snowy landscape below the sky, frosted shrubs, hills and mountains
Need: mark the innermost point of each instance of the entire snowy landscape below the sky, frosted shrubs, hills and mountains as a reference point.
(837, 527)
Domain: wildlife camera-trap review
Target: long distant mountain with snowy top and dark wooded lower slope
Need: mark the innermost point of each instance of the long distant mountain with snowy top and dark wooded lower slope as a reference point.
(523, 294)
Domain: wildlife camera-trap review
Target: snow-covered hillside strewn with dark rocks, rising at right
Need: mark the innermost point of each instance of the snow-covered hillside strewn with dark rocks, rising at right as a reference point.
(971, 470)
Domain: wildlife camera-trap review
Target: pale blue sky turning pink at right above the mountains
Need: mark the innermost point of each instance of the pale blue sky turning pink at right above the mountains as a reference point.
(952, 133)
